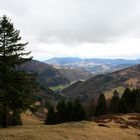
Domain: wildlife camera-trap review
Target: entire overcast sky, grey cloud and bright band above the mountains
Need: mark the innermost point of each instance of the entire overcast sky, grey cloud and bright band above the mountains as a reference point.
(77, 28)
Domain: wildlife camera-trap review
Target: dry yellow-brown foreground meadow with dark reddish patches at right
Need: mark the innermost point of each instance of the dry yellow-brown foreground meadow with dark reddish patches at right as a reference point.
(119, 127)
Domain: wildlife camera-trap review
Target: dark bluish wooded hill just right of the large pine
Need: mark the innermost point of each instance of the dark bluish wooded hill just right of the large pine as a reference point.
(46, 74)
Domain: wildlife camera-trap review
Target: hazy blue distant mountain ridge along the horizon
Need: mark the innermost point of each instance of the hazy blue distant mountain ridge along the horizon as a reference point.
(93, 65)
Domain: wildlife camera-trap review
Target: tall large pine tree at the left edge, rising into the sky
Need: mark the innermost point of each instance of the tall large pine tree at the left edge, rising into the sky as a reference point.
(15, 87)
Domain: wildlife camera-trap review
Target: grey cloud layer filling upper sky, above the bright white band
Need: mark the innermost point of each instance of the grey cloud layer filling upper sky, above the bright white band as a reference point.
(75, 20)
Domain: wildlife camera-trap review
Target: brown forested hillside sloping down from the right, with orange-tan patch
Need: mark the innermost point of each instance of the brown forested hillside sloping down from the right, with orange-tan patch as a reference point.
(129, 77)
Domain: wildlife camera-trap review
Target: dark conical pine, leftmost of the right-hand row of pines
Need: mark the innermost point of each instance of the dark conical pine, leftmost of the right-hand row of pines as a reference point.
(101, 107)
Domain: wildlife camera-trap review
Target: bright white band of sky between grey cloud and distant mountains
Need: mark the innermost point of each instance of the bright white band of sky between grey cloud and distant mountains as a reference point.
(127, 49)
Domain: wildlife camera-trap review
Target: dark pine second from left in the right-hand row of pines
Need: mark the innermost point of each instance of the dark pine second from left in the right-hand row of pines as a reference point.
(114, 103)
